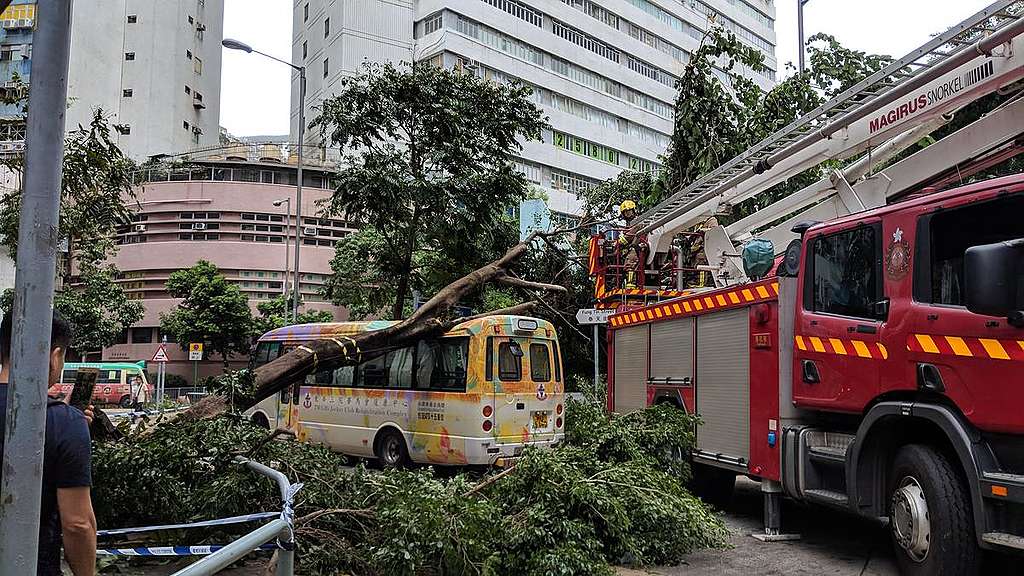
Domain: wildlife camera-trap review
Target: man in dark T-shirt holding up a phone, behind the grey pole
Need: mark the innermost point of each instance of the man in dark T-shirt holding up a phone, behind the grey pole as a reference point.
(67, 515)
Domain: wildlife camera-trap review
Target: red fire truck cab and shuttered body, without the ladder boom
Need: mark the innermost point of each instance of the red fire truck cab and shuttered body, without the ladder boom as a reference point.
(880, 371)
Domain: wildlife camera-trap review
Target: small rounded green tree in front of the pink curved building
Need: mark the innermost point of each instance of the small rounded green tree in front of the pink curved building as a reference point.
(212, 311)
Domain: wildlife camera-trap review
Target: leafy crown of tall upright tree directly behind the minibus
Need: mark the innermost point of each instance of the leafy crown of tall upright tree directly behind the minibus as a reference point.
(431, 175)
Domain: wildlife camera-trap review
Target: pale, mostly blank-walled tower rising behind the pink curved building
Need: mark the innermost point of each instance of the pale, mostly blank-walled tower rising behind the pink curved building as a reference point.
(153, 67)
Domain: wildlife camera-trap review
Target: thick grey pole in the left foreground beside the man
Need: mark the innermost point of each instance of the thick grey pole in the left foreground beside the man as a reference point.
(23, 459)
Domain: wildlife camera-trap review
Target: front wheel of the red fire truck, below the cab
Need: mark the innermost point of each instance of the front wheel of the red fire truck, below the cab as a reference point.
(930, 516)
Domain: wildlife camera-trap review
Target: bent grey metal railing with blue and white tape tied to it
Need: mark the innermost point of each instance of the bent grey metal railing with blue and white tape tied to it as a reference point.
(280, 531)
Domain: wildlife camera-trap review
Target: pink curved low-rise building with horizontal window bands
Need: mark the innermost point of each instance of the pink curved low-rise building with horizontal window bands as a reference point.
(223, 212)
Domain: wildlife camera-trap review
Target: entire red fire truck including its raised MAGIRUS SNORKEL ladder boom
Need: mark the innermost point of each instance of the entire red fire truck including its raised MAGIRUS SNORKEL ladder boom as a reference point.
(878, 366)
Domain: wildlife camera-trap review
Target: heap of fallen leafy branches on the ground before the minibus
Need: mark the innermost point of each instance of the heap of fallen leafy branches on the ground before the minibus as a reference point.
(615, 493)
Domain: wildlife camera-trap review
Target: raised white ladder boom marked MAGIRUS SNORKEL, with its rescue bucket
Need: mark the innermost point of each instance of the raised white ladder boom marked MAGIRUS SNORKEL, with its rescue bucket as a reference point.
(869, 125)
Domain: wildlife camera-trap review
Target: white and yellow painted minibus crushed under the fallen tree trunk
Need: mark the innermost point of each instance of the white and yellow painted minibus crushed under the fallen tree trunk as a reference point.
(479, 395)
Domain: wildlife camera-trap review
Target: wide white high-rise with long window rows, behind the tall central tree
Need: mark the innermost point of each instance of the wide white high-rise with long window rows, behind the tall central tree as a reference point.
(604, 73)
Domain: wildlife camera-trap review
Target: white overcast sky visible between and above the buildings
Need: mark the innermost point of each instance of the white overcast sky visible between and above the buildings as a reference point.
(255, 91)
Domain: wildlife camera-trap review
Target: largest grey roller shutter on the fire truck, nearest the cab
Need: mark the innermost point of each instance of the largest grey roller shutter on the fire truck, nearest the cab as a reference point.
(723, 384)
